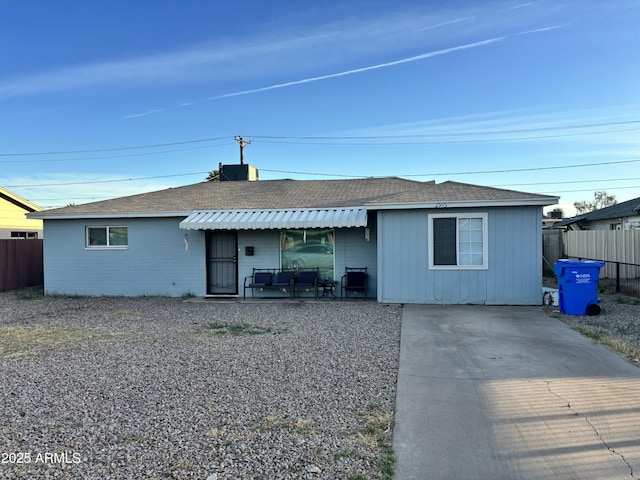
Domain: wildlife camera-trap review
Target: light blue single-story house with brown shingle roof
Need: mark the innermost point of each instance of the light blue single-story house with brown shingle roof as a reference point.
(421, 242)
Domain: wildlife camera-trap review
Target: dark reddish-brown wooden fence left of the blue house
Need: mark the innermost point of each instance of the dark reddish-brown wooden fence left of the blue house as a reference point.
(20, 264)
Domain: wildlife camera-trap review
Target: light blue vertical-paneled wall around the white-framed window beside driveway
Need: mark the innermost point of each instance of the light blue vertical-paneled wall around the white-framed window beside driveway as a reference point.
(514, 276)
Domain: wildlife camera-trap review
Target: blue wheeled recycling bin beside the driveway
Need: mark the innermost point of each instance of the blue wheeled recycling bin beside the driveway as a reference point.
(578, 286)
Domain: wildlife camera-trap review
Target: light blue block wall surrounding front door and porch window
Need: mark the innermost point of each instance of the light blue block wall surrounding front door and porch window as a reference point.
(157, 263)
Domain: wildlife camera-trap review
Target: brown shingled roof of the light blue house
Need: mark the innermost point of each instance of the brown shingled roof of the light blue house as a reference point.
(370, 193)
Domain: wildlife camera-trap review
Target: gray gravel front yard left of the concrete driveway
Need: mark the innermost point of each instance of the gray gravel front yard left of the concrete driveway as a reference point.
(159, 388)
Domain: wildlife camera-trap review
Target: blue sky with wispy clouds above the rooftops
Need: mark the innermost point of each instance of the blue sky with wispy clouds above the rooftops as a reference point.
(540, 96)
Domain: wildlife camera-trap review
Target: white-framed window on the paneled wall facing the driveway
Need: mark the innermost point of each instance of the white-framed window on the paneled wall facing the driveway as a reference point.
(458, 241)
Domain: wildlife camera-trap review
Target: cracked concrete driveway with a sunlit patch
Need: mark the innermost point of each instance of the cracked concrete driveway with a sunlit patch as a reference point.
(509, 393)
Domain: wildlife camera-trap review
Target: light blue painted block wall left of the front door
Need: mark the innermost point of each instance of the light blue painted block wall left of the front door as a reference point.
(155, 263)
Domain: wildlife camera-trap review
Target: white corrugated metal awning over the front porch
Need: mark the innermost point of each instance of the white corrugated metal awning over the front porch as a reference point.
(275, 219)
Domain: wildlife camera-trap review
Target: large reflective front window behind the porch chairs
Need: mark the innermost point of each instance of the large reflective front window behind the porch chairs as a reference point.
(304, 249)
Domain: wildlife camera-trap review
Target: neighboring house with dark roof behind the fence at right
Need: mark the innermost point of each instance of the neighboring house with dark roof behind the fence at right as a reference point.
(621, 216)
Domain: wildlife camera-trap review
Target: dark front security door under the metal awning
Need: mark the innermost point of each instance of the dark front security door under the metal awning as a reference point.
(222, 262)
